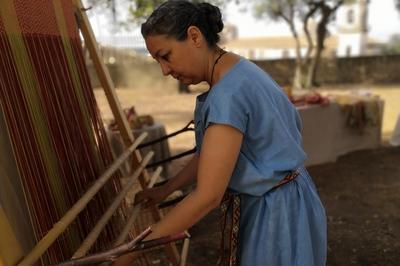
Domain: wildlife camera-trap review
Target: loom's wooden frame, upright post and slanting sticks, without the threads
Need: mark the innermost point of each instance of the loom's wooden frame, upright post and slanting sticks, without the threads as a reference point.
(137, 162)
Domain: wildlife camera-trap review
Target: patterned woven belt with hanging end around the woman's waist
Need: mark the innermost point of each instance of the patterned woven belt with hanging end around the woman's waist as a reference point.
(230, 218)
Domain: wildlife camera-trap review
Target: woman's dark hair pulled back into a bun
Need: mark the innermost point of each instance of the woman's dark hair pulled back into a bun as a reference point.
(173, 18)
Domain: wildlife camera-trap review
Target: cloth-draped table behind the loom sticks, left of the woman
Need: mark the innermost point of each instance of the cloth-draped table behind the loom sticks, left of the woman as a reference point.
(161, 149)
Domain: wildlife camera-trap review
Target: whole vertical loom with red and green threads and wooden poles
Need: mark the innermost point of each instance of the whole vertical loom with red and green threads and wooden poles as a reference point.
(60, 190)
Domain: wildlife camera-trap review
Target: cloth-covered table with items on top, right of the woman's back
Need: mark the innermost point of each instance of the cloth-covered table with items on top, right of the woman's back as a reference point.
(326, 136)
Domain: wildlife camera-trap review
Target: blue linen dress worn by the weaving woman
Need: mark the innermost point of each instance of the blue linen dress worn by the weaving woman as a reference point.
(286, 226)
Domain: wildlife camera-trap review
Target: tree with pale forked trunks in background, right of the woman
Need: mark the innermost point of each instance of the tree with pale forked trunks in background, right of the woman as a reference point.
(290, 11)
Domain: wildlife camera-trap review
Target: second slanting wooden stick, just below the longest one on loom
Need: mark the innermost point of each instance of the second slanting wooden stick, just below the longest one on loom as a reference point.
(94, 234)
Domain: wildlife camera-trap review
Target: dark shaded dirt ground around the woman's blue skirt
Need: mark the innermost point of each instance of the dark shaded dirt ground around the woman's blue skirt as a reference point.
(361, 194)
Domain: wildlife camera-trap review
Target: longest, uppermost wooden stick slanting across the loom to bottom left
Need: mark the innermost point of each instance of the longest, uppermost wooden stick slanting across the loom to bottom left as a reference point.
(72, 213)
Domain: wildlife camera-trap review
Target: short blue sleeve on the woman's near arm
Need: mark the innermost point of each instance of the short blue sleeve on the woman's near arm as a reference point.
(227, 109)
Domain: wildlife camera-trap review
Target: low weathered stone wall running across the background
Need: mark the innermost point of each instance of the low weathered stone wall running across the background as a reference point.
(371, 69)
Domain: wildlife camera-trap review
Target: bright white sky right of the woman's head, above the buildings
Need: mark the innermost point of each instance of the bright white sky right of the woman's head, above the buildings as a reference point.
(383, 21)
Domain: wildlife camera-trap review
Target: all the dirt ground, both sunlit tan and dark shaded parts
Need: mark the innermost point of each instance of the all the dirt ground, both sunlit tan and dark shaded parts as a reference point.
(361, 191)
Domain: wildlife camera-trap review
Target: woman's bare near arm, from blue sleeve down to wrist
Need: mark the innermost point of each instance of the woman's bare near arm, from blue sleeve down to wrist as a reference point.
(219, 152)
